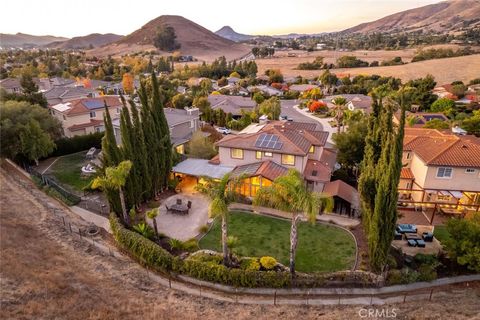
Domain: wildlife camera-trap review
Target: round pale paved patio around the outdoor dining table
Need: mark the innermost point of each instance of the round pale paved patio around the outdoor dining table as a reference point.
(183, 227)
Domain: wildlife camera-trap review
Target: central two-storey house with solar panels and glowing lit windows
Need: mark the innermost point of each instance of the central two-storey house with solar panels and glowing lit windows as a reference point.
(263, 152)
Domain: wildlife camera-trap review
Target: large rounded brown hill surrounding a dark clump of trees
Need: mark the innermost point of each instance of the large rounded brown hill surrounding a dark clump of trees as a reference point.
(194, 40)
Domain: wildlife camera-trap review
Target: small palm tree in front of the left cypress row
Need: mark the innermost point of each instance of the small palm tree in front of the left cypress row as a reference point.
(114, 179)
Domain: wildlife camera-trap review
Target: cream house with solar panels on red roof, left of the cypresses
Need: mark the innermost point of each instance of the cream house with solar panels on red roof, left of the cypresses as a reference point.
(84, 116)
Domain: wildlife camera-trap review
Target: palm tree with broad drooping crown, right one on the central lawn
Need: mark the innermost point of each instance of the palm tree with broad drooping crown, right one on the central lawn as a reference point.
(289, 193)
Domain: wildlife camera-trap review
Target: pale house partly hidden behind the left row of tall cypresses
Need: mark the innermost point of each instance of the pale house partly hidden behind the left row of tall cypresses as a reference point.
(182, 124)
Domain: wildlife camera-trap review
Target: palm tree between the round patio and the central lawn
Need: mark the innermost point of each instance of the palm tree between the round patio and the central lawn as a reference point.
(222, 193)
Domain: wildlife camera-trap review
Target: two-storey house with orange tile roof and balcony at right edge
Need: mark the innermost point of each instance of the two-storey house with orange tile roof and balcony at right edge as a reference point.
(441, 173)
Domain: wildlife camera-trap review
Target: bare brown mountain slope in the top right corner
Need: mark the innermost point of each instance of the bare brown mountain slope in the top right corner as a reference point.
(439, 17)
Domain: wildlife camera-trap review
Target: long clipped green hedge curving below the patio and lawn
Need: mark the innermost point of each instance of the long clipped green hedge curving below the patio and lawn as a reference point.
(152, 255)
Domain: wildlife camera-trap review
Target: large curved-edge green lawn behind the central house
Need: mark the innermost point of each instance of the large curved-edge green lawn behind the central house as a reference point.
(320, 248)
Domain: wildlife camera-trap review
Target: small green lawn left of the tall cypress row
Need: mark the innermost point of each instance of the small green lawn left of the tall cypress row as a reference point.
(67, 170)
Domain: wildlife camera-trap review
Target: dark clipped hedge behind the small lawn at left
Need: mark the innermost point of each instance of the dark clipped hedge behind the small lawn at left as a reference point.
(77, 144)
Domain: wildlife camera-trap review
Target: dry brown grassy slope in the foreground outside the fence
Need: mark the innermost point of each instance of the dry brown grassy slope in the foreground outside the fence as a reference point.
(46, 273)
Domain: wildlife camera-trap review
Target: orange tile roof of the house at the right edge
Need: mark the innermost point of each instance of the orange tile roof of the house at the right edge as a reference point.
(443, 149)
